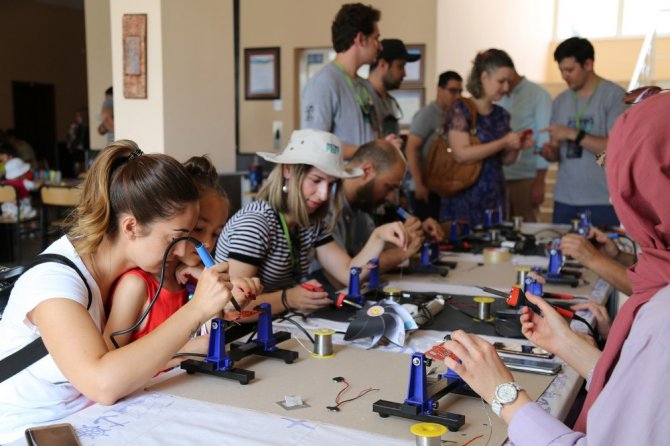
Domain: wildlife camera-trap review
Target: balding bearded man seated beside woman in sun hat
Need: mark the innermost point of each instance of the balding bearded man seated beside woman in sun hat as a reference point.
(383, 167)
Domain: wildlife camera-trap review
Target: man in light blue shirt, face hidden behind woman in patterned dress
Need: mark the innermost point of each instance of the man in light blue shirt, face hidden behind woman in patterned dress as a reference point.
(529, 106)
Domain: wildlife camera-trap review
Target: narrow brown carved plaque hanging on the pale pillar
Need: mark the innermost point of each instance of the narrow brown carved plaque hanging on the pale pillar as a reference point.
(135, 56)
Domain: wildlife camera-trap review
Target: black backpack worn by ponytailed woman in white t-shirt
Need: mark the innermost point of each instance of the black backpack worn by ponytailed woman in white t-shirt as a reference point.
(33, 352)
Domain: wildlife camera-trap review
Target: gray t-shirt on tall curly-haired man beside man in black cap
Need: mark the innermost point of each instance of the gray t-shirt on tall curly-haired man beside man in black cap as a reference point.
(329, 104)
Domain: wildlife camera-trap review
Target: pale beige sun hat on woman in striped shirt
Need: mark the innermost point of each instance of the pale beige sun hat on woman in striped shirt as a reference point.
(316, 148)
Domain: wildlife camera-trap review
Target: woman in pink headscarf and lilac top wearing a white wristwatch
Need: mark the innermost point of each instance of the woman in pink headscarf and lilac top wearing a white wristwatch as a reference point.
(627, 392)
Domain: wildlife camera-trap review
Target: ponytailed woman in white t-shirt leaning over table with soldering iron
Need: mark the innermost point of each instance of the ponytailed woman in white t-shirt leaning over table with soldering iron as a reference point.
(132, 207)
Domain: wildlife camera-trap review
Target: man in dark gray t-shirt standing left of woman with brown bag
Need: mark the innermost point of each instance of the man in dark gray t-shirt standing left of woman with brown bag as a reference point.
(425, 122)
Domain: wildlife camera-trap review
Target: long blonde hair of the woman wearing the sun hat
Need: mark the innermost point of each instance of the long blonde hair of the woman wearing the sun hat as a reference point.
(292, 202)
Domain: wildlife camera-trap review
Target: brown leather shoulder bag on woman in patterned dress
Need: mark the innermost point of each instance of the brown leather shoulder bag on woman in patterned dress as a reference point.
(444, 175)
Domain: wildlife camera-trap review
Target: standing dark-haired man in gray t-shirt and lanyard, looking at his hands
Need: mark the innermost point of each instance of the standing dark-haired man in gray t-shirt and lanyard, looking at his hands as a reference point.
(581, 118)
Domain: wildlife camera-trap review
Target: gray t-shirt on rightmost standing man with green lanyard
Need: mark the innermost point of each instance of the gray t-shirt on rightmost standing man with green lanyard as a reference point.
(581, 181)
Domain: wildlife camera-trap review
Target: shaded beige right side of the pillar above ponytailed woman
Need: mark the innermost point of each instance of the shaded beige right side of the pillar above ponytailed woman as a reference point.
(198, 80)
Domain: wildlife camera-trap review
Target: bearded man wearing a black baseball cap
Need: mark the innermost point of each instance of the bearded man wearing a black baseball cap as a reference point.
(386, 74)
